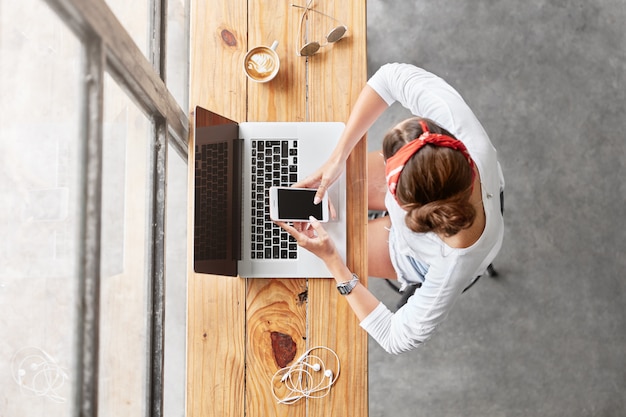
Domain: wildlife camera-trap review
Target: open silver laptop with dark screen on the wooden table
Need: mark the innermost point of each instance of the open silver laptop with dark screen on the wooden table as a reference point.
(235, 165)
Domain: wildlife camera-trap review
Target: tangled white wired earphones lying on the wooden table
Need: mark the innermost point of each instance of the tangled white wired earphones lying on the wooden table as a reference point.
(301, 380)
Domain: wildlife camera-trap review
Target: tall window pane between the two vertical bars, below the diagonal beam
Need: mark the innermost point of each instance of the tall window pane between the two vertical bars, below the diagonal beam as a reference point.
(126, 196)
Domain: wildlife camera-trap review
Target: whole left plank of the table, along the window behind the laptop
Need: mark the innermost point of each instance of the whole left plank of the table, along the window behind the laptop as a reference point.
(216, 305)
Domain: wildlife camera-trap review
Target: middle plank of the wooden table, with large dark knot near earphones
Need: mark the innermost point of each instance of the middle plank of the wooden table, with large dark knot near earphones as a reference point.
(276, 306)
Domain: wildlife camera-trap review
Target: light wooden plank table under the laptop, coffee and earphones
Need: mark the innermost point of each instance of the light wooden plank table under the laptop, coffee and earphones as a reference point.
(230, 359)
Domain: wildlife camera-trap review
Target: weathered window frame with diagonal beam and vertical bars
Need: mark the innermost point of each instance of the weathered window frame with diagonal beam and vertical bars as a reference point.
(109, 48)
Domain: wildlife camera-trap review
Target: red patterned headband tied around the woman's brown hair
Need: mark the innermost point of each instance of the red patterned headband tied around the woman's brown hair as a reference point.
(395, 164)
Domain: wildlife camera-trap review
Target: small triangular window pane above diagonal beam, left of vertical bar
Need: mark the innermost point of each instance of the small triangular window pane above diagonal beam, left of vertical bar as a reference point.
(135, 16)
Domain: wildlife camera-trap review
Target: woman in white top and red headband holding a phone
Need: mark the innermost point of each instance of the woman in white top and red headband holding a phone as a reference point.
(439, 180)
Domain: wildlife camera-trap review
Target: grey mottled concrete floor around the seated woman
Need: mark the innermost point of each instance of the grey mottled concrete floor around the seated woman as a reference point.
(548, 336)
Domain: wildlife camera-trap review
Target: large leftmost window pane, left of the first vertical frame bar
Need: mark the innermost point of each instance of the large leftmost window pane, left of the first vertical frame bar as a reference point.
(40, 97)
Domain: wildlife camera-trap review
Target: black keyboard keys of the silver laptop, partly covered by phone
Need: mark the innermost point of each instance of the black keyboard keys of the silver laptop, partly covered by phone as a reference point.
(274, 163)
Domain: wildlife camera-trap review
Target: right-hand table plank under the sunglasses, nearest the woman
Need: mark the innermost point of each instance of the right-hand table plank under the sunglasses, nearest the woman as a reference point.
(337, 75)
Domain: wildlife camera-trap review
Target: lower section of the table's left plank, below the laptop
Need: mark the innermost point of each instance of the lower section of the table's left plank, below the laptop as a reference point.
(216, 346)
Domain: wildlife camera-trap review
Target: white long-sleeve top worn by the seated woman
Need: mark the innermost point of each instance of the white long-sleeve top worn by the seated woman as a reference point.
(451, 270)
